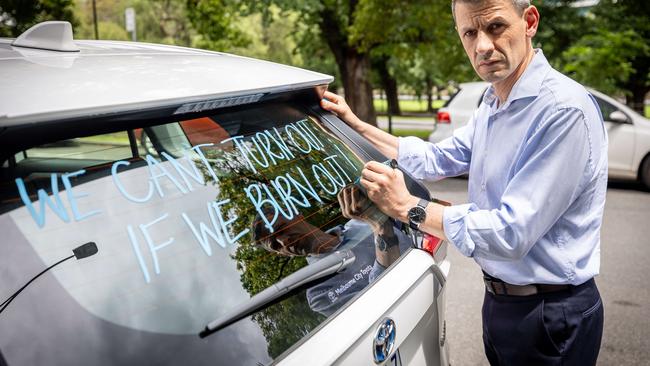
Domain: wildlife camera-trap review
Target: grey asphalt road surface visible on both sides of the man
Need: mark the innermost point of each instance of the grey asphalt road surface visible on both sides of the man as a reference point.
(623, 281)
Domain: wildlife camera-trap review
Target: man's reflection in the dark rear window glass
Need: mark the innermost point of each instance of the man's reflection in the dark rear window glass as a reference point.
(369, 234)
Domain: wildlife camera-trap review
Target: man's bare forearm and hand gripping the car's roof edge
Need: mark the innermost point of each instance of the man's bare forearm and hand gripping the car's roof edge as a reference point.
(383, 141)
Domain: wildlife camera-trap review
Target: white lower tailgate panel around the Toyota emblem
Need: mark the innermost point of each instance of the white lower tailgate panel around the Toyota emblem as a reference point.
(409, 293)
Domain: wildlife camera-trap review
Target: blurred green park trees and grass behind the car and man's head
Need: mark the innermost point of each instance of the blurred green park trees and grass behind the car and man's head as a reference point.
(391, 58)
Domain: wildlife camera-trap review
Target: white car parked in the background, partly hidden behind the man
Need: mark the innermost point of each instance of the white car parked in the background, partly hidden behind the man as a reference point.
(628, 131)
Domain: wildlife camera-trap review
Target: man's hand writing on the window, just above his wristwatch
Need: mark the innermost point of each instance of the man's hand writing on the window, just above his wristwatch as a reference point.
(386, 188)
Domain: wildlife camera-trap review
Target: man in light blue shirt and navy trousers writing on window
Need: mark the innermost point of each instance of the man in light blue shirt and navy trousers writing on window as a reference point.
(536, 154)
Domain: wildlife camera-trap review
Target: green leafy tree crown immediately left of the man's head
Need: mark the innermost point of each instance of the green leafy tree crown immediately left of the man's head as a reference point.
(413, 42)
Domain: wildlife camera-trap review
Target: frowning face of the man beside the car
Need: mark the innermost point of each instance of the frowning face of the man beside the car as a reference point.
(494, 36)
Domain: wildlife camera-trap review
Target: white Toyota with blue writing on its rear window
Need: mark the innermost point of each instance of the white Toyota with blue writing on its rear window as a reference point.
(215, 235)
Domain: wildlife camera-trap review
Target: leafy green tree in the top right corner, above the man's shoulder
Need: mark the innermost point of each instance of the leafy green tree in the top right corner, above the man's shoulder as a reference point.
(614, 55)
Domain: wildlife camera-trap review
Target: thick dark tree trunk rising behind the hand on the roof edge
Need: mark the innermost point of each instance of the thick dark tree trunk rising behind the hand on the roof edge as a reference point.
(353, 66)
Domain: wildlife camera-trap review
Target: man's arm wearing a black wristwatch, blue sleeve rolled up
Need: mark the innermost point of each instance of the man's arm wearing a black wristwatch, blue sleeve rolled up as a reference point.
(541, 191)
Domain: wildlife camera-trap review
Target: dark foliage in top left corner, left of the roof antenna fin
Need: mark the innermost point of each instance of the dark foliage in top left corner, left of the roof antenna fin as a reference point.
(16, 16)
